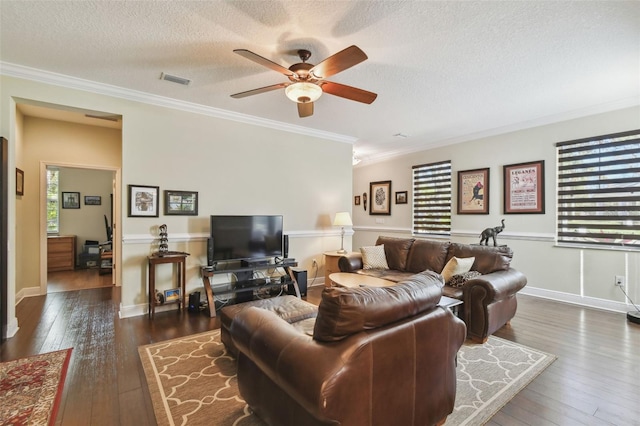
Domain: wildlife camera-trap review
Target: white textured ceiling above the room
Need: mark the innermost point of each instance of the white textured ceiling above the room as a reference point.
(444, 71)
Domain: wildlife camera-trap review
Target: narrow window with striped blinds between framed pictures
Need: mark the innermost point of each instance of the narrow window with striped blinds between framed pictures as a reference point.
(432, 198)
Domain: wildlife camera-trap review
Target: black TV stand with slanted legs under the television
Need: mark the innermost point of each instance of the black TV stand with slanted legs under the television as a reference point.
(247, 284)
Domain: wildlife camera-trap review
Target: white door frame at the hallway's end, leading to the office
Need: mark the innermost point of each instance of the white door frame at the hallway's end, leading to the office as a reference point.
(116, 275)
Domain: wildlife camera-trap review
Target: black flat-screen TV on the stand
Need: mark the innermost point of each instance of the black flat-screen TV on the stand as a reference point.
(246, 237)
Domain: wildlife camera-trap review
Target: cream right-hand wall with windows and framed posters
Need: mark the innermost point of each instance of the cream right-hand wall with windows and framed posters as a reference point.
(577, 275)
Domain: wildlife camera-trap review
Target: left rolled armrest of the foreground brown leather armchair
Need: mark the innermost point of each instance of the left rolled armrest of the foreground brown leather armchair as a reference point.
(284, 354)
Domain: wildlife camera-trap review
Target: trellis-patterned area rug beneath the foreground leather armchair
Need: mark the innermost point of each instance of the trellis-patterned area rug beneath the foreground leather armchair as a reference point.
(192, 380)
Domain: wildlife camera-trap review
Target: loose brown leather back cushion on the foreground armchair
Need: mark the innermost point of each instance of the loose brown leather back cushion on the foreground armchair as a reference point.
(346, 311)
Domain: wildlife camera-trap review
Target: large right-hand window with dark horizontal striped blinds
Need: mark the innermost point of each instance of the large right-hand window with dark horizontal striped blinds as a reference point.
(599, 190)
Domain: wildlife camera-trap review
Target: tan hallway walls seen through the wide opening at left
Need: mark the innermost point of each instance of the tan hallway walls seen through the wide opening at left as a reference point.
(66, 137)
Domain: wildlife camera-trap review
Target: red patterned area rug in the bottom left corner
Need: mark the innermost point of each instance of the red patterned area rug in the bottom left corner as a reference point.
(30, 388)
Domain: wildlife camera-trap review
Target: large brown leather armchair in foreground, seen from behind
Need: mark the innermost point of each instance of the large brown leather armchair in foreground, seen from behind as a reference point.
(382, 356)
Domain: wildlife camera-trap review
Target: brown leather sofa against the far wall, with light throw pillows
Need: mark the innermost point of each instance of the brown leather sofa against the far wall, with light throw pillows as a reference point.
(489, 301)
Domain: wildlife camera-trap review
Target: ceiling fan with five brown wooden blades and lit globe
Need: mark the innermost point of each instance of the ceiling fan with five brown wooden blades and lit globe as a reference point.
(307, 81)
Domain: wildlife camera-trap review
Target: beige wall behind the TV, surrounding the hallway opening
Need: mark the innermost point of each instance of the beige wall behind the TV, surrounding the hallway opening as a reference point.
(237, 168)
